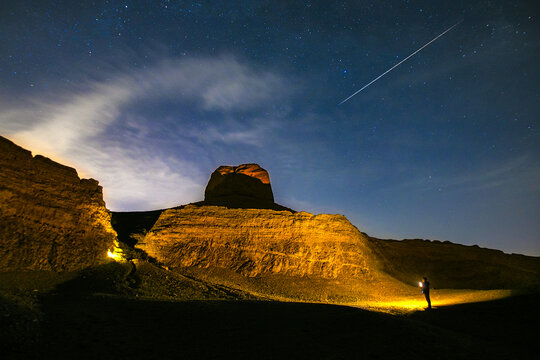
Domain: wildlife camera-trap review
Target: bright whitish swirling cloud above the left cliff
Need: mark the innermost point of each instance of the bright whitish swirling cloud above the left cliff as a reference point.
(138, 171)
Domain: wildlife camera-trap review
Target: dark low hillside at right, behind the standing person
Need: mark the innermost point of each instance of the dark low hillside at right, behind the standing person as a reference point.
(455, 266)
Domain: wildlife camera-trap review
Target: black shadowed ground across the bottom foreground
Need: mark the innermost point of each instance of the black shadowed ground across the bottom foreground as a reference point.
(79, 320)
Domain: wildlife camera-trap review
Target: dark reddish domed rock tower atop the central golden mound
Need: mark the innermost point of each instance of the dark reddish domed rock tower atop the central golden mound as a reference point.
(243, 186)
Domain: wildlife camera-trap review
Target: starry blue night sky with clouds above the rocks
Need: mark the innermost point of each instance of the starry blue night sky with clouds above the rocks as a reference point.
(149, 97)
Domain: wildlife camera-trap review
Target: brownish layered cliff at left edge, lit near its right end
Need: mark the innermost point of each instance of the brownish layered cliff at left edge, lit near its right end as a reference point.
(49, 218)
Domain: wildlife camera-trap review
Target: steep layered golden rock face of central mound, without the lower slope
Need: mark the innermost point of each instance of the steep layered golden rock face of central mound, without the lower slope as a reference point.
(253, 242)
